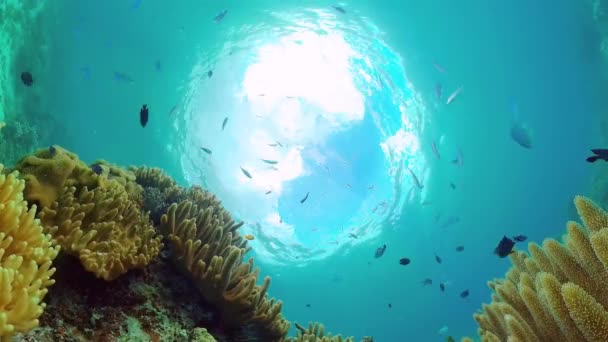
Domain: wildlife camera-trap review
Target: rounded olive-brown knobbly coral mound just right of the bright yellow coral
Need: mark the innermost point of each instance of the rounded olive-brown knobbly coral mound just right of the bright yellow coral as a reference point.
(102, 227)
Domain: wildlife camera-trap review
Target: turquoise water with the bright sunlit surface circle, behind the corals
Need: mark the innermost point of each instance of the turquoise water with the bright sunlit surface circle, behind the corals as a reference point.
(351, 99)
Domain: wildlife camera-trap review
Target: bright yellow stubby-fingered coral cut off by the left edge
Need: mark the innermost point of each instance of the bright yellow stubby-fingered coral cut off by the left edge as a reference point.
(26, 256)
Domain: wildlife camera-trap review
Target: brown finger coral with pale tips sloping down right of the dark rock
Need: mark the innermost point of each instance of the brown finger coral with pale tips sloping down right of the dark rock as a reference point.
(212, 252)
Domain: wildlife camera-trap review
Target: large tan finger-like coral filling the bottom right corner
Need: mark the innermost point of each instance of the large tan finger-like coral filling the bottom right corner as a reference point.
(557, 293)
